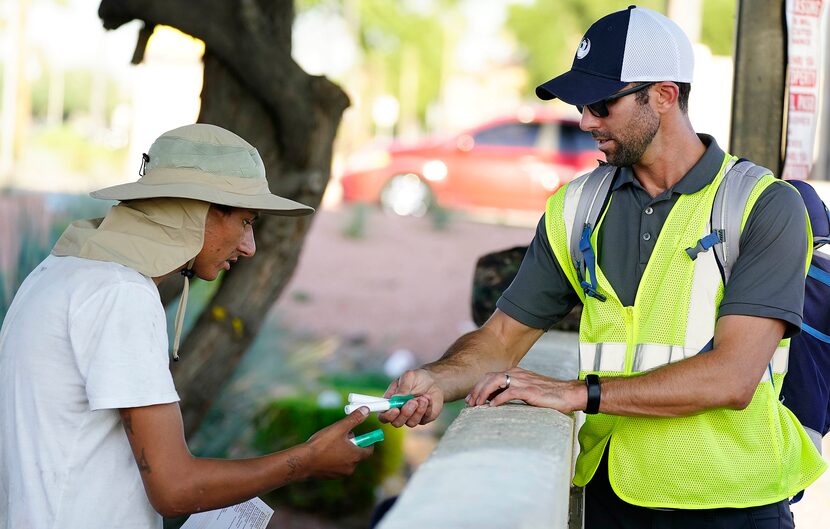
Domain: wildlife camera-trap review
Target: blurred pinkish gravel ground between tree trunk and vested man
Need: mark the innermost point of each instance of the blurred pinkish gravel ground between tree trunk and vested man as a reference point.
(403, 285)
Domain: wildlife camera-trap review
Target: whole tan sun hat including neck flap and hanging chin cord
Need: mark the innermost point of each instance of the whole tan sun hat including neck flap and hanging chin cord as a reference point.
(159, 225)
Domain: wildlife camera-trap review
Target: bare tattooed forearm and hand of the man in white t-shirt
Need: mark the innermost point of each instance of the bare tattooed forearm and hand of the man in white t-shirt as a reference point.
(178, 483)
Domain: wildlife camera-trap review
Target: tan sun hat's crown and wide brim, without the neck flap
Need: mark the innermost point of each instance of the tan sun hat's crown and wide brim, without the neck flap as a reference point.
(209, 163)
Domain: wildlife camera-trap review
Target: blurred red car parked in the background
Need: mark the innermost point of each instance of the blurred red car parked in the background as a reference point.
(513, 163)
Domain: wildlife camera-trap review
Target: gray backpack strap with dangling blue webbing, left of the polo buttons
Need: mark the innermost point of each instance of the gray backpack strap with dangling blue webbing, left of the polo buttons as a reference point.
(595, 192)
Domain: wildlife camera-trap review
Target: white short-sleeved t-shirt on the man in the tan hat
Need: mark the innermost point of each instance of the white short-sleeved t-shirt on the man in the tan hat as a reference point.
(81, 339)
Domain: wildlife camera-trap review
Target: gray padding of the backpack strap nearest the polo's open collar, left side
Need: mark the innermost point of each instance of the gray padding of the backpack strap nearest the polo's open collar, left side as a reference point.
(594, 191)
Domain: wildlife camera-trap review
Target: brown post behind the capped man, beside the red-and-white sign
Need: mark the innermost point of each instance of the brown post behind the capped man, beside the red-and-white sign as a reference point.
(758, 98)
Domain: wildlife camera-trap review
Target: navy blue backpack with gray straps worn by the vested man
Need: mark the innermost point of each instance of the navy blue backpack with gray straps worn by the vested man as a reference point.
(806, 387)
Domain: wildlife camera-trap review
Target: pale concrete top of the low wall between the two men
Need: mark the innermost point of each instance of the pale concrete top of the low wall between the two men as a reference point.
(505, 467)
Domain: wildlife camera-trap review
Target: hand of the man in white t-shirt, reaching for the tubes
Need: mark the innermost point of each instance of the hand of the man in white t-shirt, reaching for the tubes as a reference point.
(333, 455)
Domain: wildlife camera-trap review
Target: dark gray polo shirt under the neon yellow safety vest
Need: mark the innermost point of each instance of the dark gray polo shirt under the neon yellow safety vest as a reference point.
(767, 279)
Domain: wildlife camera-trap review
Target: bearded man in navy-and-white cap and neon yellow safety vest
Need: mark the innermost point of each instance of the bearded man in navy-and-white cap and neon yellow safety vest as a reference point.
(679, 368)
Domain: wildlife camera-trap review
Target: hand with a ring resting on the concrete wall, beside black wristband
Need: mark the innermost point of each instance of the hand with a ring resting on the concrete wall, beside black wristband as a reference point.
(565, 396)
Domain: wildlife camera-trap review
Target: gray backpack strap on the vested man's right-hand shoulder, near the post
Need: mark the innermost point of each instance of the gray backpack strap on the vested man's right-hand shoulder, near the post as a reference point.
(728, 210)
